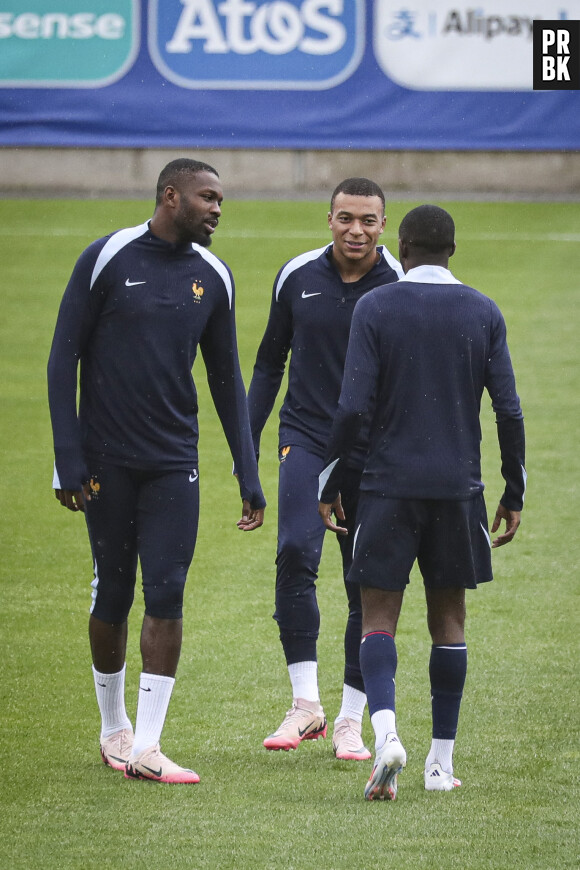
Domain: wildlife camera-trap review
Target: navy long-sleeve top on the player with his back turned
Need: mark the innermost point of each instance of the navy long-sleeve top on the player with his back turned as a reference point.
(426, 349)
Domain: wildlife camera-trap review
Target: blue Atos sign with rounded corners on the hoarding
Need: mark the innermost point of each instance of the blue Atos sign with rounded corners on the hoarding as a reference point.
(265, 44)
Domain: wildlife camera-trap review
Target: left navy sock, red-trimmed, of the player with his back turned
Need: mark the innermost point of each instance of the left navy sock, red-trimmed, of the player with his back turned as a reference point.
(378, 661)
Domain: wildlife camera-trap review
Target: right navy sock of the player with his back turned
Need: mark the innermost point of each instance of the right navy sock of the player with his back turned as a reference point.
(447, 670)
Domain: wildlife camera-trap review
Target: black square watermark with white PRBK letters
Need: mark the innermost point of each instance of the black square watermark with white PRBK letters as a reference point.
(556, 55)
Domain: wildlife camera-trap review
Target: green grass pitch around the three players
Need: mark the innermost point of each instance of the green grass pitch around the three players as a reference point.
(518, 743)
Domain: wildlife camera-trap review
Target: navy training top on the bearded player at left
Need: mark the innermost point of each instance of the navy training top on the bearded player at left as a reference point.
(134, 312)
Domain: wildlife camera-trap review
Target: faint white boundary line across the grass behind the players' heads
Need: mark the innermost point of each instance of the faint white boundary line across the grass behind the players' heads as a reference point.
(55, 232)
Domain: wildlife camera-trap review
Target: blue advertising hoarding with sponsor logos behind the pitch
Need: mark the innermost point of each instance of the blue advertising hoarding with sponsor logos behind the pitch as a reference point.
(306, 74)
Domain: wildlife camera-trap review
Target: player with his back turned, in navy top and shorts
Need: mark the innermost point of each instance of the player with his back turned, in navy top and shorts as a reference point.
(421, 354)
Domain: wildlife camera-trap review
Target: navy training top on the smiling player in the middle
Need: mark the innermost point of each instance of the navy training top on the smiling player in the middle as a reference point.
(310, 317)
